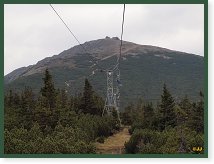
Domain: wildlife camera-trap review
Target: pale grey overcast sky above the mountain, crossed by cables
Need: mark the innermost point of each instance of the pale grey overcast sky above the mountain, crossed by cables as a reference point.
(33, 32)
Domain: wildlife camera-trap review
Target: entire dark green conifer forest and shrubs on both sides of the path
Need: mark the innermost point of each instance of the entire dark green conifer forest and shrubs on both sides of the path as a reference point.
(52, 121)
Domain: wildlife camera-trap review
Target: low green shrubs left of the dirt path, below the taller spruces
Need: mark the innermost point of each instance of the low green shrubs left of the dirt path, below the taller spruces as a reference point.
(73, 136)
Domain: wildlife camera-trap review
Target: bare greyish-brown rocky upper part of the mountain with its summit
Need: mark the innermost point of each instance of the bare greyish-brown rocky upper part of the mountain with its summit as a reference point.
(100, 49)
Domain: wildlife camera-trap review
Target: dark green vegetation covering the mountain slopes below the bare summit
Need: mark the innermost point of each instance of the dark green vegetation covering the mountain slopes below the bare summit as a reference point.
(142, 75)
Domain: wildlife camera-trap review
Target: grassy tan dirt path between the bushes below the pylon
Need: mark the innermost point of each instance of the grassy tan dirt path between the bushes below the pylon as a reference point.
(114, 144)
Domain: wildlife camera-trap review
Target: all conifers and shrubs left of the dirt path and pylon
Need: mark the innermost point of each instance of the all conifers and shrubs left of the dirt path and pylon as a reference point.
(53, 122)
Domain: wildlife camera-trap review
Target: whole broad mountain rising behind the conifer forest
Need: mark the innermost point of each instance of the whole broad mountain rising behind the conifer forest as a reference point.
(144, 69)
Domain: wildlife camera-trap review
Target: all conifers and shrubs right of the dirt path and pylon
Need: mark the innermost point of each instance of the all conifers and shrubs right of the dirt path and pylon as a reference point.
(169, 128)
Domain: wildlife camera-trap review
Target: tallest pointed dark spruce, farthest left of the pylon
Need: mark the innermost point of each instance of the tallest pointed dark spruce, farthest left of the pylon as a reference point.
(48, 91)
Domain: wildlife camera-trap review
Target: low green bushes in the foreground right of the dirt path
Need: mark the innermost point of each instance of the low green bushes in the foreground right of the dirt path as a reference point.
(168, 141)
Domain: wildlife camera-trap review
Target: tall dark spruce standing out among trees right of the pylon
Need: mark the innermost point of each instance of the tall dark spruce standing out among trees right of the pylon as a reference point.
(167, 110)
